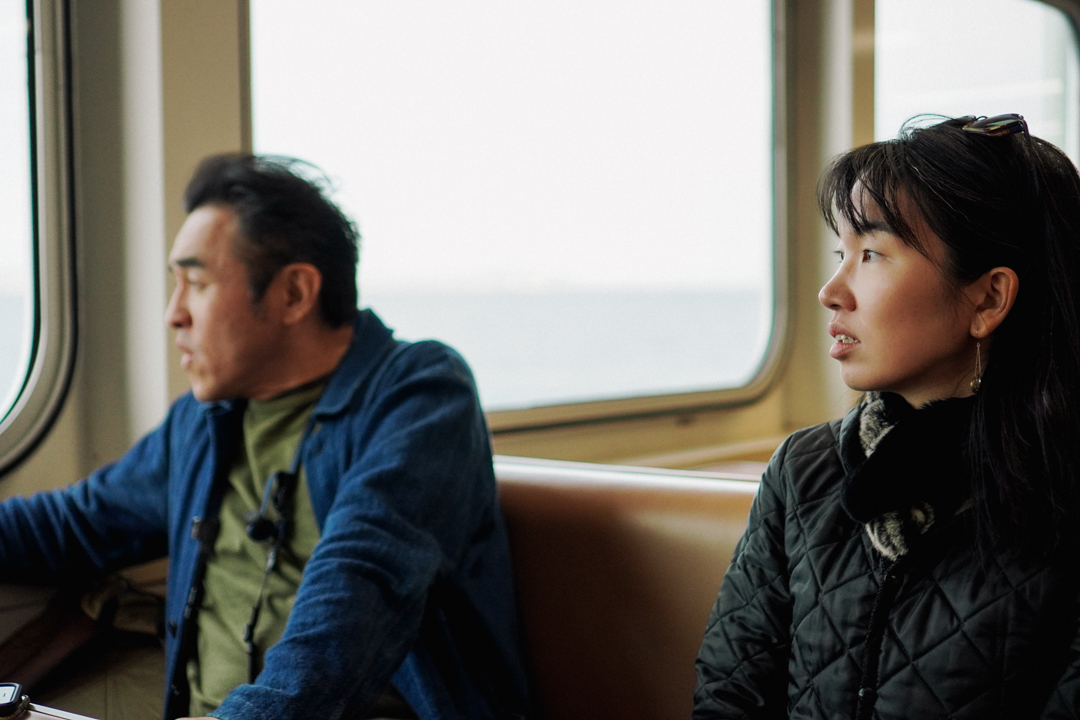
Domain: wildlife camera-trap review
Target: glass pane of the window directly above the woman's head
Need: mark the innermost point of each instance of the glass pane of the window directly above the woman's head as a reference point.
(983, 58)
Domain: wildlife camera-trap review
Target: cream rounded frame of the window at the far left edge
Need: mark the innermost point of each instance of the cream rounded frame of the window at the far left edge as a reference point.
(53, 349)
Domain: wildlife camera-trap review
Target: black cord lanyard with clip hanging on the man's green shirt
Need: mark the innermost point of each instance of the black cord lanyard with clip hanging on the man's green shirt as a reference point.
(279, 493)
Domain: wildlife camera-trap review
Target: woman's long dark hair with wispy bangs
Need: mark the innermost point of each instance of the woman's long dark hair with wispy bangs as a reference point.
(996, 201)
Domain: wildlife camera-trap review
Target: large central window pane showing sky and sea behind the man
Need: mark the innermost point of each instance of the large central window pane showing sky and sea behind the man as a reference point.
(576, 195)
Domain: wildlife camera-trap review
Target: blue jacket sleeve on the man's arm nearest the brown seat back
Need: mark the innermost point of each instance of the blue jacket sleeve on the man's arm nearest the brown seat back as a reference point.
(416, 501)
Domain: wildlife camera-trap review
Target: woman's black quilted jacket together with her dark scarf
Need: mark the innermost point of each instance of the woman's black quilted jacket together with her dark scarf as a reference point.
(960, 635)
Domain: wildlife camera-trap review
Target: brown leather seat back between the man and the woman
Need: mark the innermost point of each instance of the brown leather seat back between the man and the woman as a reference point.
(617, 569)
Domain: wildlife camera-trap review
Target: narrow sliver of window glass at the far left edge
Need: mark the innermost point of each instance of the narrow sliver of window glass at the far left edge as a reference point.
(17, 284)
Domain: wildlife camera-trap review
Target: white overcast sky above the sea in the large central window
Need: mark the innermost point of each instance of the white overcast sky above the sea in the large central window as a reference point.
(499, 145)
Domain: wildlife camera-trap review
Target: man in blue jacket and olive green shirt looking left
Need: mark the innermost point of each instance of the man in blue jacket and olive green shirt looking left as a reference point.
(325, 494)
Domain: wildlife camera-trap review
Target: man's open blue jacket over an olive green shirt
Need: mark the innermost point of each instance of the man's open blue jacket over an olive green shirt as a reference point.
(411, 581)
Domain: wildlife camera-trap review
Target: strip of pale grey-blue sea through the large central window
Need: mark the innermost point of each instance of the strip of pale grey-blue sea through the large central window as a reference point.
(531, 349)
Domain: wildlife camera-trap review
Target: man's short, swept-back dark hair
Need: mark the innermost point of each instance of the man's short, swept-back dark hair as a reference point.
(285, 218)
